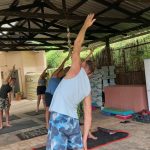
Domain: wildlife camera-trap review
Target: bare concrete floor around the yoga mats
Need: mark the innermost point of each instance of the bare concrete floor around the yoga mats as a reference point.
(139, 138)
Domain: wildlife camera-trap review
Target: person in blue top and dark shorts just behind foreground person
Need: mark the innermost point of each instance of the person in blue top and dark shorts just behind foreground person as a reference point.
(52, 85)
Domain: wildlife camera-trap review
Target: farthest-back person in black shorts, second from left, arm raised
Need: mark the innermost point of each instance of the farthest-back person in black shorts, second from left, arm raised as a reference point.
(41, 87)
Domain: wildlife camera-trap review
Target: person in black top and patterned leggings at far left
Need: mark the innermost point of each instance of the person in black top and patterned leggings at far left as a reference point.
(5, 97)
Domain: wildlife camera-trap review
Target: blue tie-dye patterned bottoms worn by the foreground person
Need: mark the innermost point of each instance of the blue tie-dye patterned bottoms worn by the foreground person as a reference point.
(64, 133)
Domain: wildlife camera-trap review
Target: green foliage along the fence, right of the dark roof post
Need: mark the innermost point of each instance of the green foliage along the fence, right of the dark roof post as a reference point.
(130, 54)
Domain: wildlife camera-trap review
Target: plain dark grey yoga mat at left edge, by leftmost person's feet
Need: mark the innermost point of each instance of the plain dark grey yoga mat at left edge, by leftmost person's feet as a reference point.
(19, 126)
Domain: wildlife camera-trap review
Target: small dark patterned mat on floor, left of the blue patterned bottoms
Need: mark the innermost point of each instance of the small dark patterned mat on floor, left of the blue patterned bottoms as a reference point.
(31, 134)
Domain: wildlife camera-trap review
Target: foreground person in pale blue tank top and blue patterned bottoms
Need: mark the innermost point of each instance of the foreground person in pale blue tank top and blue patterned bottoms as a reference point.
(64, 130)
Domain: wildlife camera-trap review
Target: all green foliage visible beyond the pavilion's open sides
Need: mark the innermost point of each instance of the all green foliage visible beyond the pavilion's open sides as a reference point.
(128, 54)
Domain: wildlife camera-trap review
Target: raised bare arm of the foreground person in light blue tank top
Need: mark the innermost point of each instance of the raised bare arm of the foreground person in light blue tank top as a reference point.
(76, 61)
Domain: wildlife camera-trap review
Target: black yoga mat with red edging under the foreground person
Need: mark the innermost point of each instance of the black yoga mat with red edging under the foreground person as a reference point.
(105, 136)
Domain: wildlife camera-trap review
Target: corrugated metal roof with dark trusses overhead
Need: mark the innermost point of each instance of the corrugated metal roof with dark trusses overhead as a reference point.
(113, 18)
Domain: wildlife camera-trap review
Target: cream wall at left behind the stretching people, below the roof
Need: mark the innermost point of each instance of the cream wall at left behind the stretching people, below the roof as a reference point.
(25, 62)
